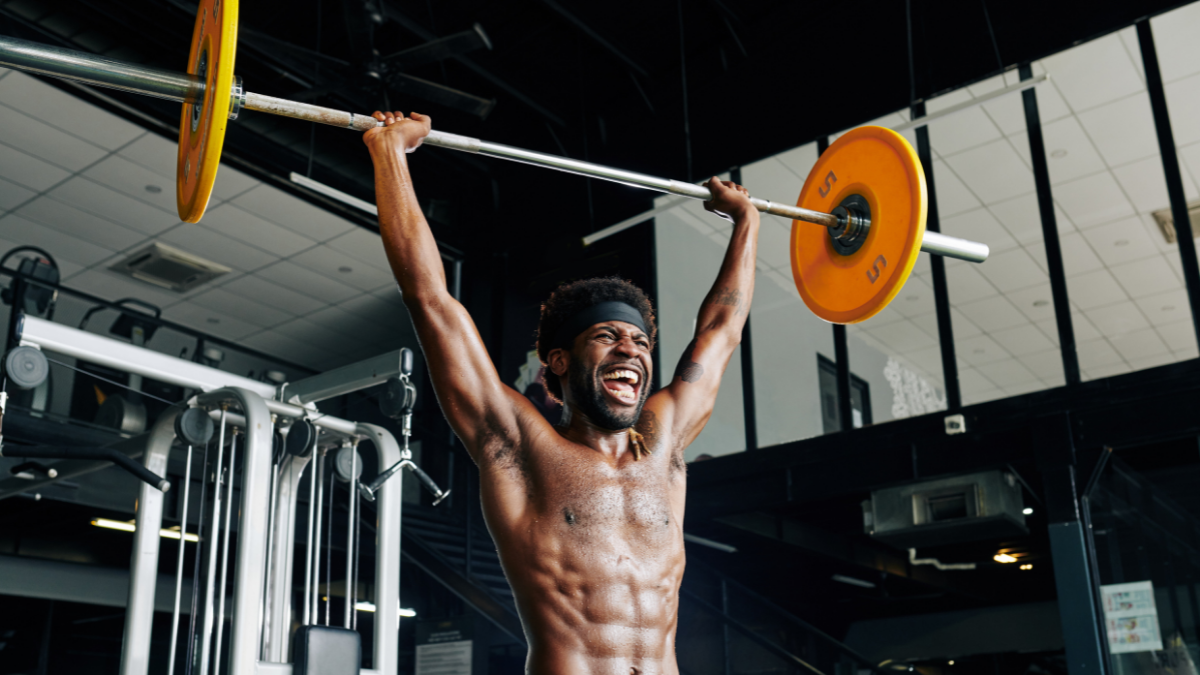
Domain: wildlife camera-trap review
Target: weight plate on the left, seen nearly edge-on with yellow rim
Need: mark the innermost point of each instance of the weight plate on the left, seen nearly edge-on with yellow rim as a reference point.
(203, 124)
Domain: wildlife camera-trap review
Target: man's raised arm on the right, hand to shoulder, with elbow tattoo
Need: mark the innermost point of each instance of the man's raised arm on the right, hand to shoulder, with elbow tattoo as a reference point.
(688, 402)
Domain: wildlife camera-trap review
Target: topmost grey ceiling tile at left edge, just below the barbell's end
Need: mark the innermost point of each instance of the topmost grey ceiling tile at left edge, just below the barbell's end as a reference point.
(67, 112)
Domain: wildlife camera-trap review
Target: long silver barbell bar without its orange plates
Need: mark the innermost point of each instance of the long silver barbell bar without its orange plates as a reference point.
(184, 88)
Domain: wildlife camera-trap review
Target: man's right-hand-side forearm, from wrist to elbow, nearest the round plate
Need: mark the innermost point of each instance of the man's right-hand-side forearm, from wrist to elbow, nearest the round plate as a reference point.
(729, 303)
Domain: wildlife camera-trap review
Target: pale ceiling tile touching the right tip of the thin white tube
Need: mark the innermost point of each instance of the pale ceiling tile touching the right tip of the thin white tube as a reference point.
(1094, 73)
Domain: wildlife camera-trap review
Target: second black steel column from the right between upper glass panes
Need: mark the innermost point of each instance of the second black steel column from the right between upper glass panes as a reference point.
(1051, 234)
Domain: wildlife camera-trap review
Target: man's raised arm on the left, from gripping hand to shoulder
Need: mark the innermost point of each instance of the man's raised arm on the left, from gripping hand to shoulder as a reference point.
(469, 389)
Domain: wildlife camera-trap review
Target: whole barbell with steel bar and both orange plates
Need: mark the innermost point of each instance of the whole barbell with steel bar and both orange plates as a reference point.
(867, 192)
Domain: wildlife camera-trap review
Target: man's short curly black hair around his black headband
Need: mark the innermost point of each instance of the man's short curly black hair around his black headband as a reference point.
(571, 298)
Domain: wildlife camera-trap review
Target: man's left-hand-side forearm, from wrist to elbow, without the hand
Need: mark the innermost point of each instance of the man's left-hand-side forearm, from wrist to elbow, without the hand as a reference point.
(409, 242)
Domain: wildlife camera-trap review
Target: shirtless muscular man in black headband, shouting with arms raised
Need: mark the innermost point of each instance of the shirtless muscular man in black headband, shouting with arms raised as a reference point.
(587, 516)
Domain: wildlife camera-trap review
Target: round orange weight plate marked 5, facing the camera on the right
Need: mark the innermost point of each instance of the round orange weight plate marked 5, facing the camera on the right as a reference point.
(880, 166)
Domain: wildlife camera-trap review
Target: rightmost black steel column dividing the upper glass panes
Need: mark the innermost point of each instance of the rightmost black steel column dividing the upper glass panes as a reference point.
(1184, 234)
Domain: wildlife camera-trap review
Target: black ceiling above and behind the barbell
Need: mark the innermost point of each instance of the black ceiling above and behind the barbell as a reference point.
(591, 81)
